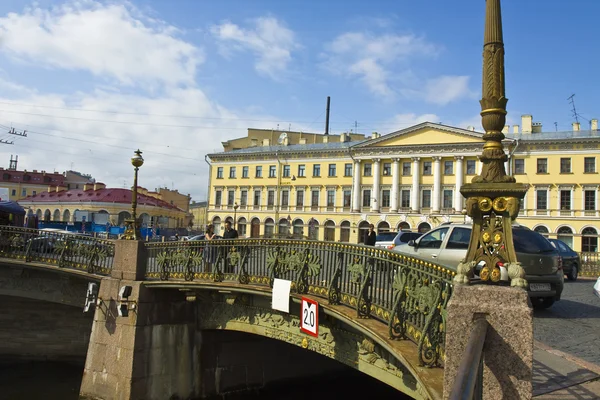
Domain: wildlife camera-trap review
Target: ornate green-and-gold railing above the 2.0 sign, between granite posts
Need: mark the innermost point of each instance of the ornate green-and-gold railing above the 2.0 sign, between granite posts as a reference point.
(408, 294)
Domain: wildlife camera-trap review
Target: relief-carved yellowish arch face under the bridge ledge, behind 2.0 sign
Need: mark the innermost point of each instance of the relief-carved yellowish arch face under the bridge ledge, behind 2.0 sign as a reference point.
(337, 339)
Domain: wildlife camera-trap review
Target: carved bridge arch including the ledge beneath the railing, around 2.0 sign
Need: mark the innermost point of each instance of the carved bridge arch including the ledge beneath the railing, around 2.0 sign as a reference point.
(360, 344)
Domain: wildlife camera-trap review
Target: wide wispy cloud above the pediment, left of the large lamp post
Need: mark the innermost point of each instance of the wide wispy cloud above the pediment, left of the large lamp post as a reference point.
(371, 57)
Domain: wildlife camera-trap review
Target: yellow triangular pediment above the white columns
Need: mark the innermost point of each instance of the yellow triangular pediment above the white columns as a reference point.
(425, 134)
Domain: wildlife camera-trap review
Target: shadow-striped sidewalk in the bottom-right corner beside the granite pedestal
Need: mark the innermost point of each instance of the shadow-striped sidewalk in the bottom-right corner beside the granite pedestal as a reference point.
(560, 376)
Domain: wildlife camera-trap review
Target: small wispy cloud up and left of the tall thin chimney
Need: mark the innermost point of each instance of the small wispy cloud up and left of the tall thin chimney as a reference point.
(269, 40)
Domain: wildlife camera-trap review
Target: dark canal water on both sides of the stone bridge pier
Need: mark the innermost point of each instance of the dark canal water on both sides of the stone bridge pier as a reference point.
(56, 381)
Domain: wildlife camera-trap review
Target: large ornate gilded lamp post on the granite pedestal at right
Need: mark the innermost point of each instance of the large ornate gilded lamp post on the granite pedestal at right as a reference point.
(493, 198)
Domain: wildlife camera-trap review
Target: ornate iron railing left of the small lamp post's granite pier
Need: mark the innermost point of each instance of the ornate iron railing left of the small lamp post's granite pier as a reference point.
(56, 248)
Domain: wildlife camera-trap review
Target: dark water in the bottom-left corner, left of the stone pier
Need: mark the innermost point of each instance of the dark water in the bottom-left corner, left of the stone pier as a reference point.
(40, 380)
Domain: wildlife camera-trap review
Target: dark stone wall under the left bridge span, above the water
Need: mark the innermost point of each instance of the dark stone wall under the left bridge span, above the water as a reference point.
(39, 330)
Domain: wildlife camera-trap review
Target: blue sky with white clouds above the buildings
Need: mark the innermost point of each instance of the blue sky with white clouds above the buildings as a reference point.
(91, 81)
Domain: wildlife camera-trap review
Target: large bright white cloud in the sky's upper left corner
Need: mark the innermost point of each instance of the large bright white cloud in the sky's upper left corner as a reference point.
(113, 41)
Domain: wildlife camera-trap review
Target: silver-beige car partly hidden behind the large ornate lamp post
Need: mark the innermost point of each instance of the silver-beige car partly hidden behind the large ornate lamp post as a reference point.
(447, 245)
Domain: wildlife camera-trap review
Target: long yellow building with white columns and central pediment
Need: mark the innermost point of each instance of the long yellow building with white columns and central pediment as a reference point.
(409, 179)
